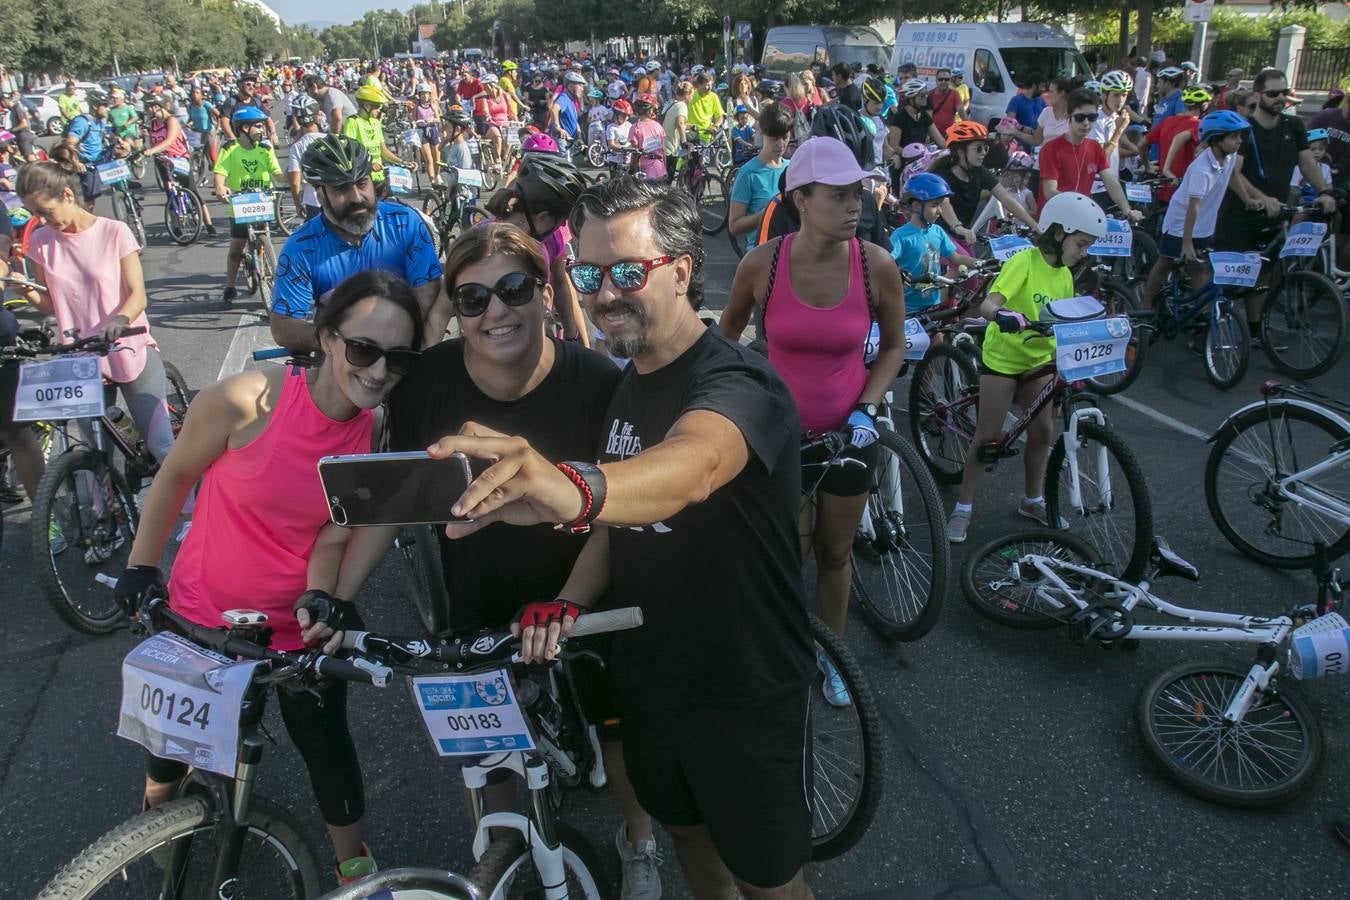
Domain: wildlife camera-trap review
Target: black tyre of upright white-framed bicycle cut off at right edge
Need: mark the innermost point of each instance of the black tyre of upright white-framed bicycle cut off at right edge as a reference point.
(1256, 522)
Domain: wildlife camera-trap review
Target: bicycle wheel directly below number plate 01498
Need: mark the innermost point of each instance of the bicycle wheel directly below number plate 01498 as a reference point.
(1305, 310)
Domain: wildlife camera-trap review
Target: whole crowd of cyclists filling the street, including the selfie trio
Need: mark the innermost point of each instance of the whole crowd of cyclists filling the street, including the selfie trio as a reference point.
(853, 187)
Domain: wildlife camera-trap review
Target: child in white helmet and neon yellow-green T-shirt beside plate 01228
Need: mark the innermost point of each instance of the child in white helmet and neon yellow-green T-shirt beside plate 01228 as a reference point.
(1015, 366)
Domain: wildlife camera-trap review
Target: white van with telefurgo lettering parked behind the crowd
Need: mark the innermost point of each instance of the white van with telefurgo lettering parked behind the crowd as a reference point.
(993, 56)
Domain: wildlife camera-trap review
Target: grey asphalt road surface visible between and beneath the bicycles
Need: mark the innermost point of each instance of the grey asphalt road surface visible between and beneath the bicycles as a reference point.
(1016, 768)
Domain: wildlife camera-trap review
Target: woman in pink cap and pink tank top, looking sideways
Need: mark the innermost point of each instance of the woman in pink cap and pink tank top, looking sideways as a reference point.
(820, 291)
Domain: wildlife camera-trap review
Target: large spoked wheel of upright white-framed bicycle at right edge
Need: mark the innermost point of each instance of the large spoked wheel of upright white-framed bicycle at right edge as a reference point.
(1255, 499)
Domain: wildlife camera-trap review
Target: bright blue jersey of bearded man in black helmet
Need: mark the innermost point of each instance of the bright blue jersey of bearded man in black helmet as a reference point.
(315, 260)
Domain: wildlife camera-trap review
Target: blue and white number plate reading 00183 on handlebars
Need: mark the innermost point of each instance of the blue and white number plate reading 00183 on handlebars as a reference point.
(472, 714)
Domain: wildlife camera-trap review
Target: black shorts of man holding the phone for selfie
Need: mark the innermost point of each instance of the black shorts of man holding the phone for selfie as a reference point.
(745, 772)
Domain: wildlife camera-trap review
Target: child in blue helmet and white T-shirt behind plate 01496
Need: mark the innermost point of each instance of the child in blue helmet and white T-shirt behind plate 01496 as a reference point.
(1194, 210)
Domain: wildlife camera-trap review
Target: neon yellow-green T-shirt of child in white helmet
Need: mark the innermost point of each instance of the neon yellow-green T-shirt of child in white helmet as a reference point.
(1027, 284)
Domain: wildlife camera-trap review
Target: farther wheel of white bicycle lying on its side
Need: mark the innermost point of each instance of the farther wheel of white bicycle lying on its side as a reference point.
(992, 589)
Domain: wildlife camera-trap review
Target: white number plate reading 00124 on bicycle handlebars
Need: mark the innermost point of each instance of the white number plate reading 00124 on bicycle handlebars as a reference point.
(183, 702)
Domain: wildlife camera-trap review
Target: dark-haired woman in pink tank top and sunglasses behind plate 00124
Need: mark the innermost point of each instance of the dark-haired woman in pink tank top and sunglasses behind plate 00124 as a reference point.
(261, 535)
